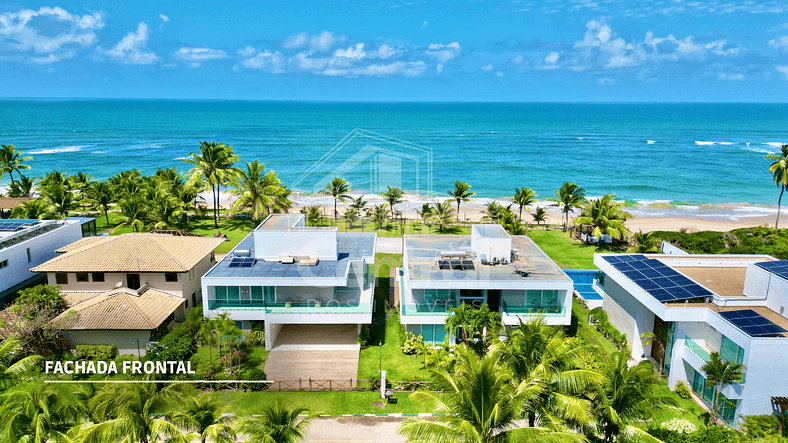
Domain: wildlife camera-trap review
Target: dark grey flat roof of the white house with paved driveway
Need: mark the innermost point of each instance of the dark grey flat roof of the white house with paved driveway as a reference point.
(350, 247)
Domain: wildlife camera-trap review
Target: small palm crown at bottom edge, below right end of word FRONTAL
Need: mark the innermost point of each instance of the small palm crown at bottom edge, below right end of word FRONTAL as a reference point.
(205, 416)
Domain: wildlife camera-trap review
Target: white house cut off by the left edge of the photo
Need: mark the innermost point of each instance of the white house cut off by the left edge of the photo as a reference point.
(25, 244)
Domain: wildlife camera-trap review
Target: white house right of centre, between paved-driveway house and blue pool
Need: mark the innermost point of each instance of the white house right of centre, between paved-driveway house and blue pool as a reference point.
(508, 273)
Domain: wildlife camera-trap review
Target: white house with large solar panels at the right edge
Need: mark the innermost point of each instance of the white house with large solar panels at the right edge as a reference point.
(699, 304)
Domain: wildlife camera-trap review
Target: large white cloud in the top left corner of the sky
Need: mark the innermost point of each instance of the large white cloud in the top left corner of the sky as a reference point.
(63, 32)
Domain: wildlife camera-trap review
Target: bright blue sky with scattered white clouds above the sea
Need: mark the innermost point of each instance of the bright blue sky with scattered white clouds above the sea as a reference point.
(555, 50)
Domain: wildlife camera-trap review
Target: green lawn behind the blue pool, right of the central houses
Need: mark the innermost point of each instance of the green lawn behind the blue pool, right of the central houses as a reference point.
(566, 253)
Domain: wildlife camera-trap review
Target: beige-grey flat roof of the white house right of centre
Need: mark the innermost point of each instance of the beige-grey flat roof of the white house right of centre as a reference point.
(425, 250)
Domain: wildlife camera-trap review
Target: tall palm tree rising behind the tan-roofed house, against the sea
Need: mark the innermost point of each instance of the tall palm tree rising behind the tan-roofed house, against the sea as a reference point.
(213, 167)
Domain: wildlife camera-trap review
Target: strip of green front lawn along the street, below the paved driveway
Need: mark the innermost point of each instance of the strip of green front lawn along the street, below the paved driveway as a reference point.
(330, 403)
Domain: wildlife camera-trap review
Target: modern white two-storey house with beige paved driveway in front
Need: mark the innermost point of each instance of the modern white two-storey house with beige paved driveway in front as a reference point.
(290, 275)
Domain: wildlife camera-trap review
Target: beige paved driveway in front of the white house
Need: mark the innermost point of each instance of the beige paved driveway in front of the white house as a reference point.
(319, 352)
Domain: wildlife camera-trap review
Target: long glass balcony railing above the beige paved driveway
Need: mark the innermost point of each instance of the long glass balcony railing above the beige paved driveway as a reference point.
(332, 307)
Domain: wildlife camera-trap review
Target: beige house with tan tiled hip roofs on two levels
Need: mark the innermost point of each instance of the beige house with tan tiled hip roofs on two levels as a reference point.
(129, 289)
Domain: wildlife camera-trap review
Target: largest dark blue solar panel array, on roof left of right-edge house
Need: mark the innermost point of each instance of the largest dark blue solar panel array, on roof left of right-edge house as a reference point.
(658, 279)
